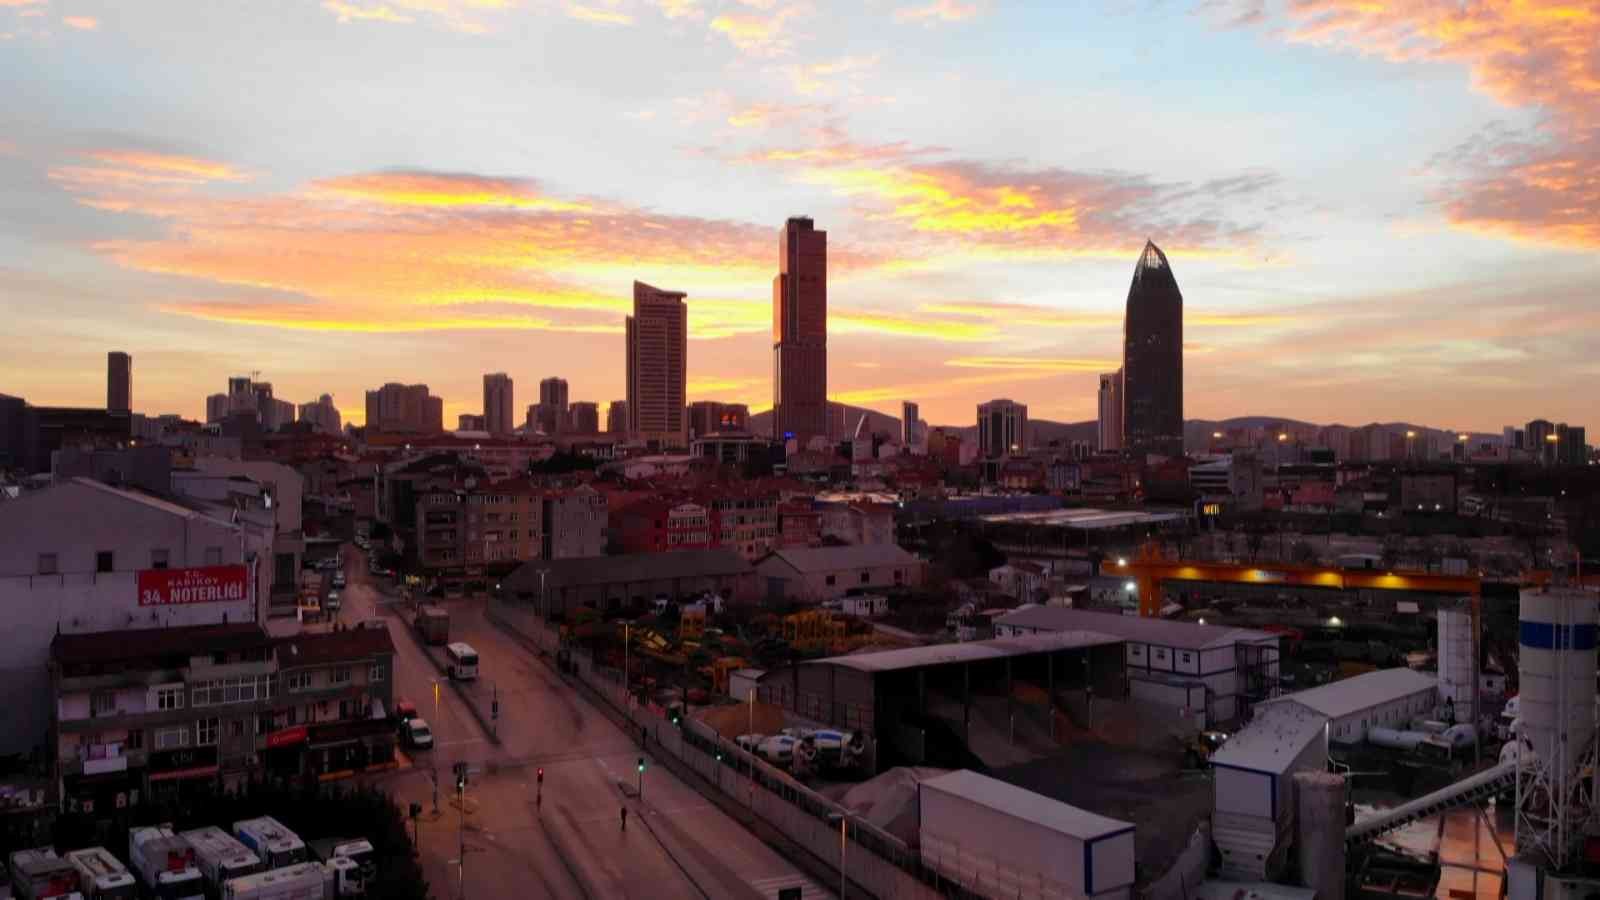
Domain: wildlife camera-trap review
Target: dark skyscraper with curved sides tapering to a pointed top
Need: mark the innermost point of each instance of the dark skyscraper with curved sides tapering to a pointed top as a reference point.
(1153, 360)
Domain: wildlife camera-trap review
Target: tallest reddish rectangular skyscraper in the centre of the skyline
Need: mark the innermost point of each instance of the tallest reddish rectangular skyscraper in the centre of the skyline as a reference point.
(801, 332)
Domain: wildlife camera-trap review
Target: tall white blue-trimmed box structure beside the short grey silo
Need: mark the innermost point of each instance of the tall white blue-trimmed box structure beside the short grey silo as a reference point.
(1254, 782)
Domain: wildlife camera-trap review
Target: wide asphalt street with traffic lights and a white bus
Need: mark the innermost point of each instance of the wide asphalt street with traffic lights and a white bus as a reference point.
(569, 843)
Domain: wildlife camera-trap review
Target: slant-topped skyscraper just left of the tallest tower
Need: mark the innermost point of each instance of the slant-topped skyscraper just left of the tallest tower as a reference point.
(658, 348)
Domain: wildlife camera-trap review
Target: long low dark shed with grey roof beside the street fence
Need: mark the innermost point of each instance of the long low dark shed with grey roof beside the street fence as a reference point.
(612, 582)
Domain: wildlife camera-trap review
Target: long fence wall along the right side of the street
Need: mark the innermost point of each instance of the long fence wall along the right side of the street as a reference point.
(874, 861)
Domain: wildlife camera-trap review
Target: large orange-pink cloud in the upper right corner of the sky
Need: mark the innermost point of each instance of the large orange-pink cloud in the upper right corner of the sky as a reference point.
(1542, 190)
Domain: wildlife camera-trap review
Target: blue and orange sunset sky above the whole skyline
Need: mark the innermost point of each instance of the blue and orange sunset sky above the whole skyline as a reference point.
(1375, 211)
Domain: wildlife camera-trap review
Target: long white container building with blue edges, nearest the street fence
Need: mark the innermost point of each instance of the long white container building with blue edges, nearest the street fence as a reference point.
(1002, 842)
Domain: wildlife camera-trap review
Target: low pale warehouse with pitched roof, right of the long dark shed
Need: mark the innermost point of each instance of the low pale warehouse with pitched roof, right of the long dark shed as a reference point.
(830, 573)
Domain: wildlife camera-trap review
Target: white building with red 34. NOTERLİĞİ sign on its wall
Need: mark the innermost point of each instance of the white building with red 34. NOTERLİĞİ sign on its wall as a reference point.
(82, 556)
